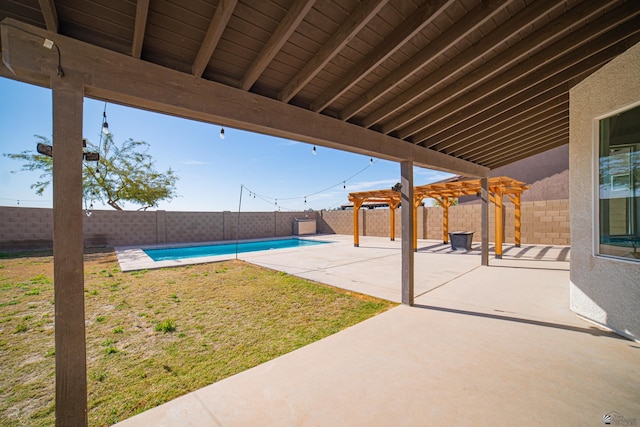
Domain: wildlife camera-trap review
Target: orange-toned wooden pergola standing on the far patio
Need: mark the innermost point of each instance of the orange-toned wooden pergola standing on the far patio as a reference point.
(445, 193)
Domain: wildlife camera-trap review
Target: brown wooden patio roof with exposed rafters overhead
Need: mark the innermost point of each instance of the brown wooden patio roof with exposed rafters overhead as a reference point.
(485, 81)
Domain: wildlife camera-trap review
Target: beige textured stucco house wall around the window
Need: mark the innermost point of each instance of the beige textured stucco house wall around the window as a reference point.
(604, 290)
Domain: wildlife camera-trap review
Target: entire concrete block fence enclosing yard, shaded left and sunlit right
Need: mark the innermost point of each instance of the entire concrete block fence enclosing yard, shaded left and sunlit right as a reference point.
(543, 222)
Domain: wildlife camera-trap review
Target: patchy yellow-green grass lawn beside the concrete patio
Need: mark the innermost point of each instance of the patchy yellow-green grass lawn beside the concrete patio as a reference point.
(155, 335)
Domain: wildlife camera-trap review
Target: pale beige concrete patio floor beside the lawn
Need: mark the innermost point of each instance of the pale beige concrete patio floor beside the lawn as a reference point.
(493, 345)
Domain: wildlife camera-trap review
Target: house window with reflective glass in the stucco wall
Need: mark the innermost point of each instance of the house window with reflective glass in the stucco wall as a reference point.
(619, 185)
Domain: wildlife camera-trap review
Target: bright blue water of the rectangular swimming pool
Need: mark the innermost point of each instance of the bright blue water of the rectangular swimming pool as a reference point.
(226, 249)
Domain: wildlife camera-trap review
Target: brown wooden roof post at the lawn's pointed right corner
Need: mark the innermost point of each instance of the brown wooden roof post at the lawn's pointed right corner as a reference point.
(406, 172)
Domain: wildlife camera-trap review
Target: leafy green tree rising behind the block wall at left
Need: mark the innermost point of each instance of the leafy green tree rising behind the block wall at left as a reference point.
(124, 173)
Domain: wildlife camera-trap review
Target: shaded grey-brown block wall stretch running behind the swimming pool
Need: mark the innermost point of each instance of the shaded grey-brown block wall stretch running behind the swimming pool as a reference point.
(32, 228)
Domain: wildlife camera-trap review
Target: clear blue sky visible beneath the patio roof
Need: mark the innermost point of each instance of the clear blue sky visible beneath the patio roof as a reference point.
(211, 170)
